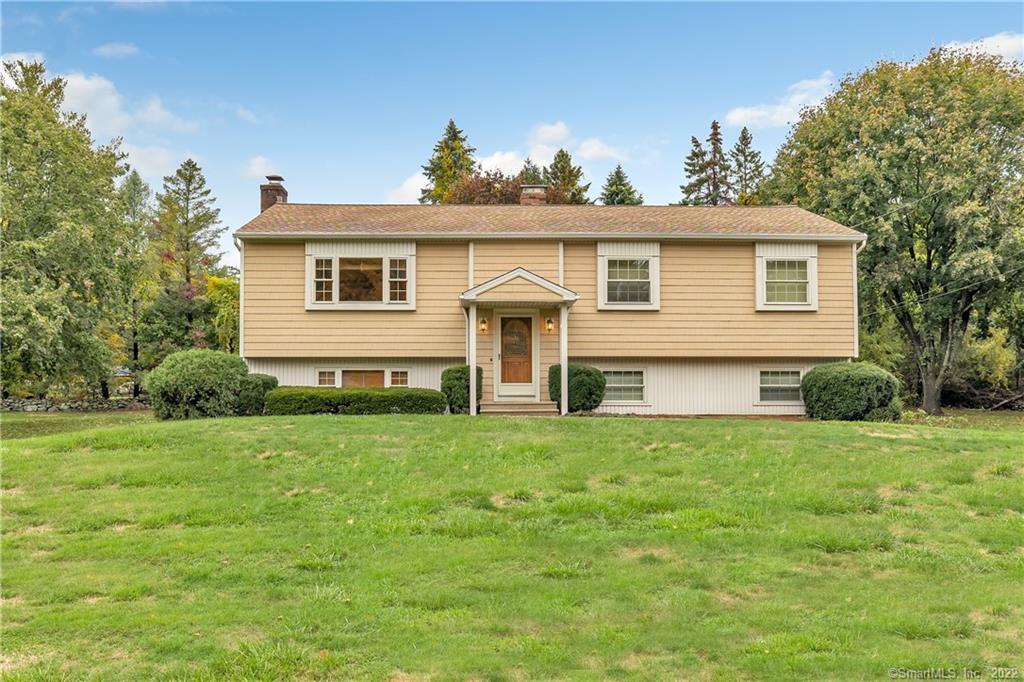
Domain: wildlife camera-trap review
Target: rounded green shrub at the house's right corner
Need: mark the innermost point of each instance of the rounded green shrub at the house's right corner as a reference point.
(851, 392)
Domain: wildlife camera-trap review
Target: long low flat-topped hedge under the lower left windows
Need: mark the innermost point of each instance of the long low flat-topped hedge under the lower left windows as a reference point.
(316, 401)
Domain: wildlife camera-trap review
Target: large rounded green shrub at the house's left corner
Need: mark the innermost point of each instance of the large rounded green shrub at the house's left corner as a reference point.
(193, 385)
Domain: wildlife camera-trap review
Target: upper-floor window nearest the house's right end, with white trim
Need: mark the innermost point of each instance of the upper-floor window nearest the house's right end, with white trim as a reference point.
(787, 277)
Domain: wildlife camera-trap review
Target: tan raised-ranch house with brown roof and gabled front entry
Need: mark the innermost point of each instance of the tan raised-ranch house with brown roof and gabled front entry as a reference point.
(688, 311)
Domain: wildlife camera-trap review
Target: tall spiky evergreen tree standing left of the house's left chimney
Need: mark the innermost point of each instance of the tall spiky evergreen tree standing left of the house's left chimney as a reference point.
(188, 231)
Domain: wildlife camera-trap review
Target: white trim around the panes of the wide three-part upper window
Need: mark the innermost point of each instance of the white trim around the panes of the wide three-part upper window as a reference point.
(345, 249)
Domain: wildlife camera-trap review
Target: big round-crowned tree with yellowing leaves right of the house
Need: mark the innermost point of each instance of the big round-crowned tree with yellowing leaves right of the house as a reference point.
(928, 159)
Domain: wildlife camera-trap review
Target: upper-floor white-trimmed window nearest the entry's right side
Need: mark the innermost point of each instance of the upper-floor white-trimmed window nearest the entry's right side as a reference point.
(628, 276)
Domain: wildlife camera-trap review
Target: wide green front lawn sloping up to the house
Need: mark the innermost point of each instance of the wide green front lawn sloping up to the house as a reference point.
(491, 548)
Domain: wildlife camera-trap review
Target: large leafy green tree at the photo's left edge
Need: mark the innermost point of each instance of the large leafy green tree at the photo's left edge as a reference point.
(61, 233)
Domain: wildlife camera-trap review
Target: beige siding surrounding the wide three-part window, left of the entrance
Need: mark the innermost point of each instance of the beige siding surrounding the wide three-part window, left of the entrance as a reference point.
(277, 324)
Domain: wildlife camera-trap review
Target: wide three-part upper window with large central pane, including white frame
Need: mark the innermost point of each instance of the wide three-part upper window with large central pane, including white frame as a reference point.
(361, 276)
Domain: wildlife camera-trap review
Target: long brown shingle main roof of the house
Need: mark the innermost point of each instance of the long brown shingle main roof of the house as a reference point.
(402, 221)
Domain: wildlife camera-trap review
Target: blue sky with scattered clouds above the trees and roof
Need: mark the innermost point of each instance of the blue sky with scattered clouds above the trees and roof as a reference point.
(346, 101)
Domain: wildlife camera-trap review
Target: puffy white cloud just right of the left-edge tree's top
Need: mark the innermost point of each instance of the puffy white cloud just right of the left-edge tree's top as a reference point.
(107, 115)
